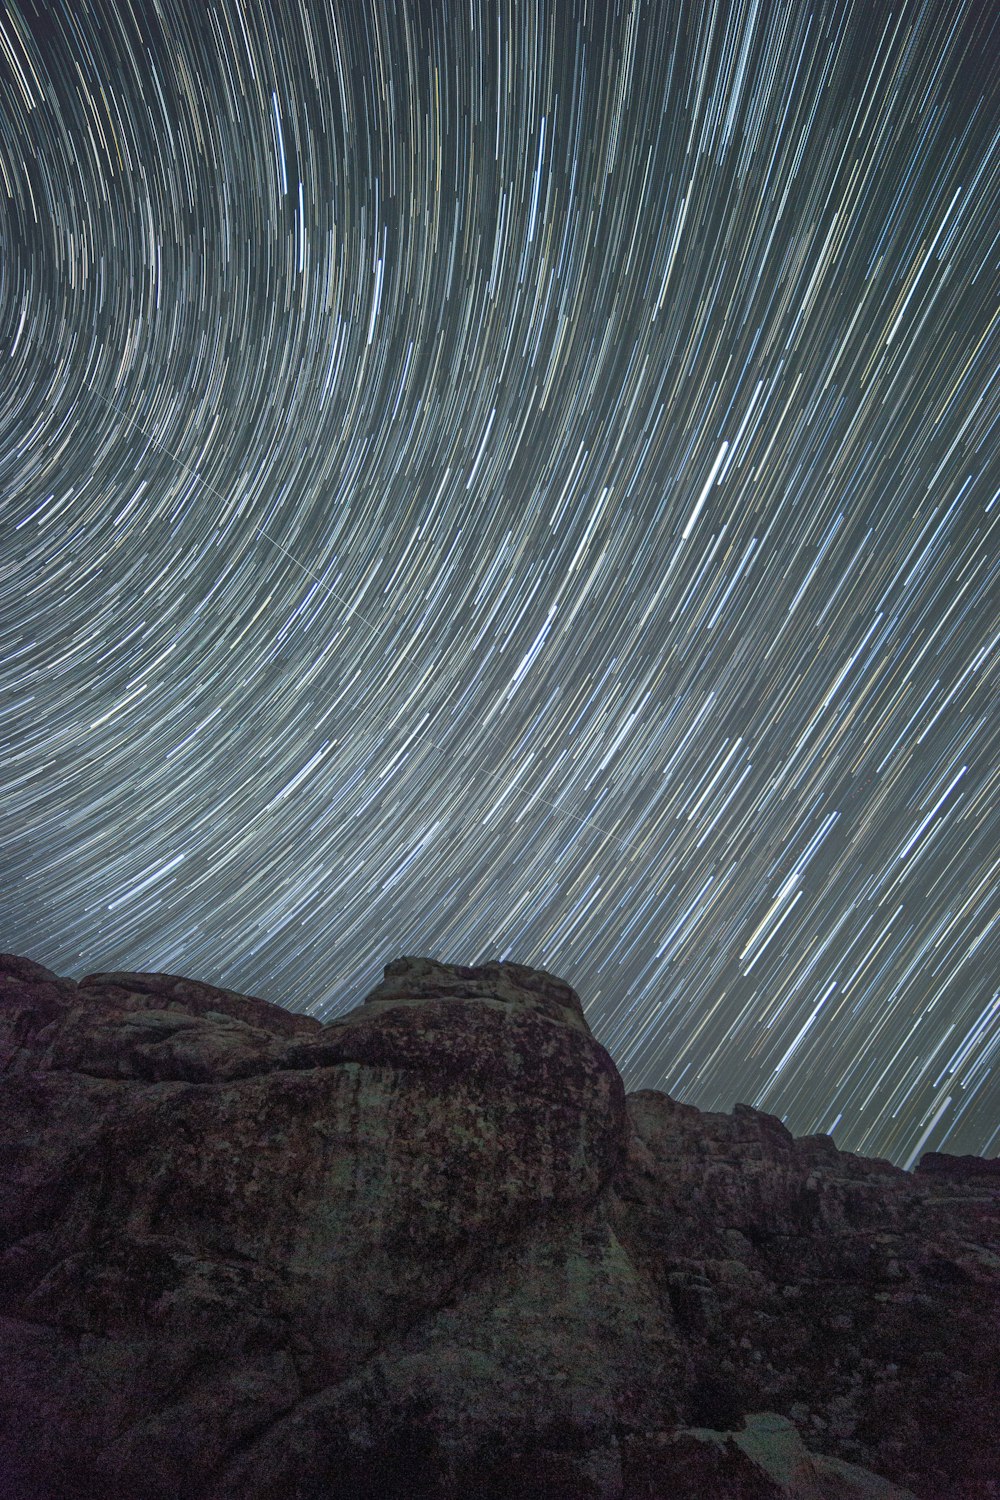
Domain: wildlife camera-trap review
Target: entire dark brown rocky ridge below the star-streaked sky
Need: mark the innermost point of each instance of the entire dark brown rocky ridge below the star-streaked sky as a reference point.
(433, 1250)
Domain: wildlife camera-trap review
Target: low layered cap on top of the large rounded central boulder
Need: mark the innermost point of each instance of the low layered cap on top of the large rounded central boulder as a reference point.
(415, 982)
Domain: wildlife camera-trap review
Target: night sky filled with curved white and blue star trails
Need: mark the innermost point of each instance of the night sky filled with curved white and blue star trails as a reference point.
(516, 481)
